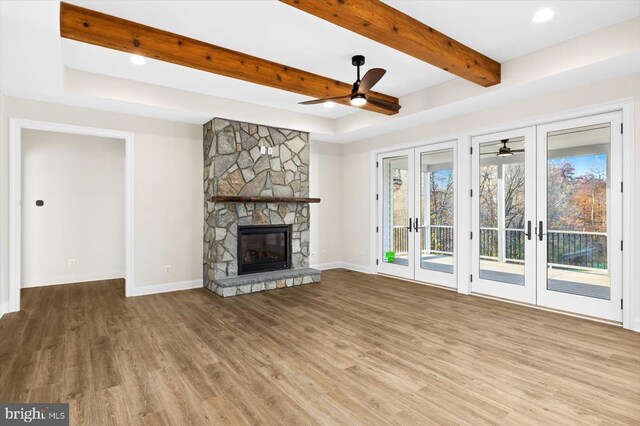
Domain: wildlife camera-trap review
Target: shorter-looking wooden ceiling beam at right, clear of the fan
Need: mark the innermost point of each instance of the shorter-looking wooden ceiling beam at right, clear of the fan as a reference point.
(382, 23)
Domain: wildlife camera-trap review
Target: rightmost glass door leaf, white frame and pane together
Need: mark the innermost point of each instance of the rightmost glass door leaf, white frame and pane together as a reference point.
(578, 201)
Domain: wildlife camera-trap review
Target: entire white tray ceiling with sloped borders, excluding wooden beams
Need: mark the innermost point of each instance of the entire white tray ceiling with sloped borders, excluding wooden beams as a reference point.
(587, 42)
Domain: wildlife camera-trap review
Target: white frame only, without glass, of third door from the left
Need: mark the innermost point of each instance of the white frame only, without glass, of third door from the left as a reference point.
(526, 293)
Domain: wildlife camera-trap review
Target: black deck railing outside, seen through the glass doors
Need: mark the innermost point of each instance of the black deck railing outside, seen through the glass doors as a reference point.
(565, 248)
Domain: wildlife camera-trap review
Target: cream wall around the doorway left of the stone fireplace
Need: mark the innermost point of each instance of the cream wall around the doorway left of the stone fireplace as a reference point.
(168, 217)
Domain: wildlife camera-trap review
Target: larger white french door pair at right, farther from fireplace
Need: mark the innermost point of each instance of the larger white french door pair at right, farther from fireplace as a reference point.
(547, 215)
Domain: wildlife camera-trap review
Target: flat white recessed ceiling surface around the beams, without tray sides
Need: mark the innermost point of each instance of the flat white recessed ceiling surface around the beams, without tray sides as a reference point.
(272, 30)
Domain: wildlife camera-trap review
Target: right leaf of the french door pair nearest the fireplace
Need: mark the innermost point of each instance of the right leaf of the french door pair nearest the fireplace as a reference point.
(435, 240)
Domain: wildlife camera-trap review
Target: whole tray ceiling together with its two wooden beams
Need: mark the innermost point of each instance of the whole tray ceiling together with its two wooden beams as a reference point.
(312, 44)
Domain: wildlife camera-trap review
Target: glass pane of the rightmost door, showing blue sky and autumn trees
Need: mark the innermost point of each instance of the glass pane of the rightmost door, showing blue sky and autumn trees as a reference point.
(577, 211)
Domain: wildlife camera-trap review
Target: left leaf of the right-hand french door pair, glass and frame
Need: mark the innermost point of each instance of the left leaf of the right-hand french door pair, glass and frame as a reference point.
(503, 214)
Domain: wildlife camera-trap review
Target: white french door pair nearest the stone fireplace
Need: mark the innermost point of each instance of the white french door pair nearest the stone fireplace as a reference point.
(416, 214)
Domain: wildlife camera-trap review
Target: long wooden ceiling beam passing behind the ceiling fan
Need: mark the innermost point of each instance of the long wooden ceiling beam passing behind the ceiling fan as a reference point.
(89, 26)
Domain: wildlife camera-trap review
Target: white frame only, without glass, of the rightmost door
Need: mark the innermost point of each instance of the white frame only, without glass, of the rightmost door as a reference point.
(607, 309)
